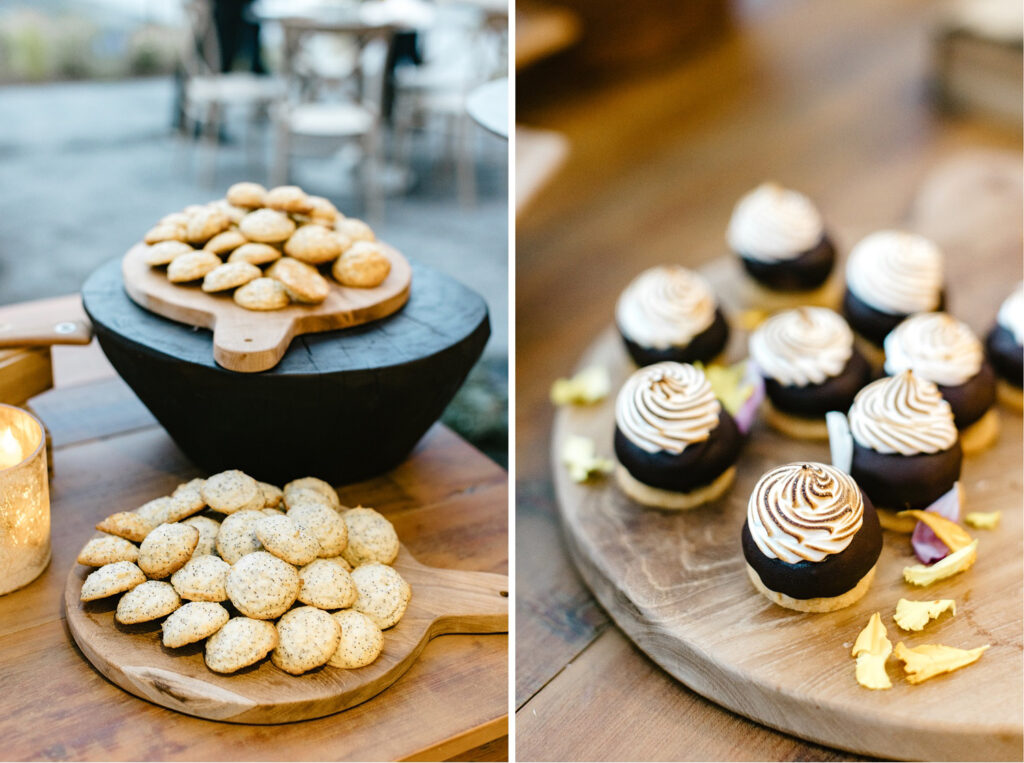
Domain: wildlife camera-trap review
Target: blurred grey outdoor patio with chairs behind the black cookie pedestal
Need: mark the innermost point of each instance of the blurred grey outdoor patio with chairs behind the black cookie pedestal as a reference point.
(118, 112)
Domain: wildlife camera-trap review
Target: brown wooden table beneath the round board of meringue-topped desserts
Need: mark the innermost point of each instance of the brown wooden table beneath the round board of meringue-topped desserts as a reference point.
(829, 101)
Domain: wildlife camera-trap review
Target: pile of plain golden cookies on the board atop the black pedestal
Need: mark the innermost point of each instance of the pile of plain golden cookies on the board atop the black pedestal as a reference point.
(269, 246)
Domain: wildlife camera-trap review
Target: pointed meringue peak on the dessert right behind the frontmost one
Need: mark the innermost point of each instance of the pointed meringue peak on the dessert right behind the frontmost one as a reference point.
(904, 414)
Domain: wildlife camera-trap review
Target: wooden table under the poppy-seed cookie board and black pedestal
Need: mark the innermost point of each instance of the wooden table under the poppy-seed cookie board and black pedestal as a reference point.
(448, 501)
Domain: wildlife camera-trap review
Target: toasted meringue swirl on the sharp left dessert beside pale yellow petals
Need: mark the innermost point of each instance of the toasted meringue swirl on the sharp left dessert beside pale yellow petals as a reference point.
(667, 407)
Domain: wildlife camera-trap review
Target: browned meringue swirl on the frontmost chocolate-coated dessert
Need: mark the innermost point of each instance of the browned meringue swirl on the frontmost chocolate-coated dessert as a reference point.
(804, 512)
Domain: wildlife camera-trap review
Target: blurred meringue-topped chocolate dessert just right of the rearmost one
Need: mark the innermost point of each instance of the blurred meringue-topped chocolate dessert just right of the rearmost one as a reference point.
(891, 275)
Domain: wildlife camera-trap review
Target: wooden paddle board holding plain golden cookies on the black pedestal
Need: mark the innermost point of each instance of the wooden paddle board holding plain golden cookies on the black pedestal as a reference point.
(250, 342)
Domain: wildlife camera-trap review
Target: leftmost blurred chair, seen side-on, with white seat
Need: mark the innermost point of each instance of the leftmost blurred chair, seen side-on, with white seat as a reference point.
(209, 94)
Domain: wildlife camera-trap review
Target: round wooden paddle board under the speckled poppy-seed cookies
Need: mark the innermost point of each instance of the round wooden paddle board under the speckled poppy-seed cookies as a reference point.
(445, 602)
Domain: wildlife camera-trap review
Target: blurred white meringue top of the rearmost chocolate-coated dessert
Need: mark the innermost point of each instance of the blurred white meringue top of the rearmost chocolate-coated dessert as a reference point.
(773, 224)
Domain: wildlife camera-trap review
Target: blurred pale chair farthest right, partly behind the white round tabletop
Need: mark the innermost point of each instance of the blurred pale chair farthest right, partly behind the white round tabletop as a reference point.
(460, 52)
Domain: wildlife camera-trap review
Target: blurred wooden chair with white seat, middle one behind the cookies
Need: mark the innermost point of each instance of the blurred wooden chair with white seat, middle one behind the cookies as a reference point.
(335, 100)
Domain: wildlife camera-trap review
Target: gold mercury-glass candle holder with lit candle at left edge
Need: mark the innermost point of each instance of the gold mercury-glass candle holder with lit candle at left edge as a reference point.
(25, 499)
